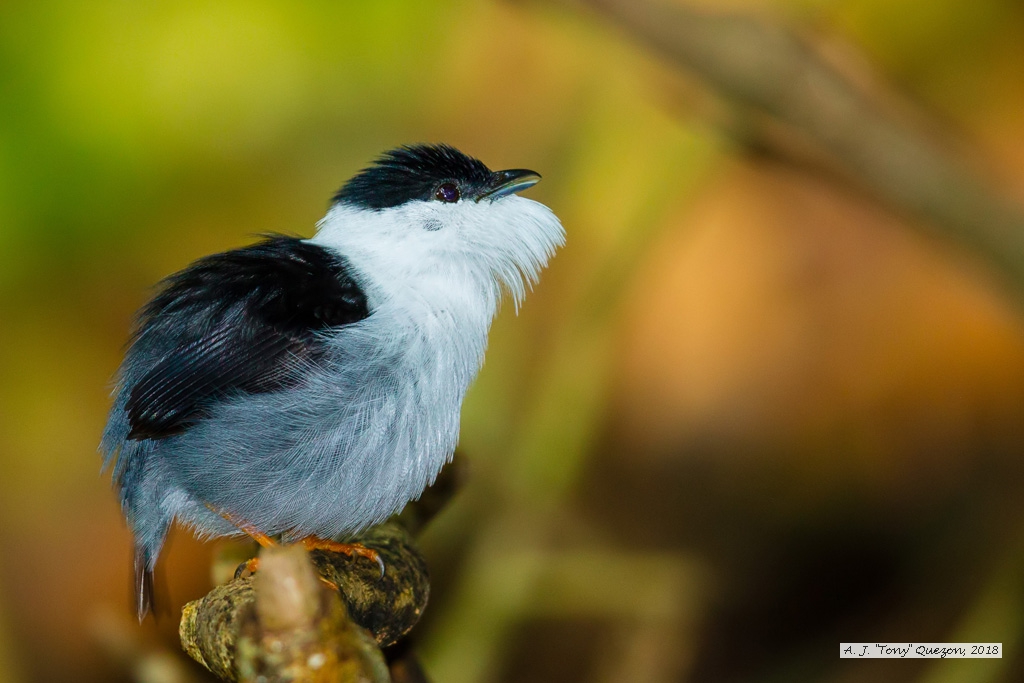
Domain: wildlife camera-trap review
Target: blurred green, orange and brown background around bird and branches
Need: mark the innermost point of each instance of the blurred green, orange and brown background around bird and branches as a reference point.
(748, 414)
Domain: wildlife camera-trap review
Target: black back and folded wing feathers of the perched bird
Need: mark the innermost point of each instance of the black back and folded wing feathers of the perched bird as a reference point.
(240, 322)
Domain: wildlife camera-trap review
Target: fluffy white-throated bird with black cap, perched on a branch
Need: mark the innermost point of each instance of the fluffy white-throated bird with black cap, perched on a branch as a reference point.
(311, 389)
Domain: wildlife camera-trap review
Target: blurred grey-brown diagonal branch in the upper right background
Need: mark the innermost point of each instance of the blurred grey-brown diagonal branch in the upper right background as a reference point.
(770, 70)
